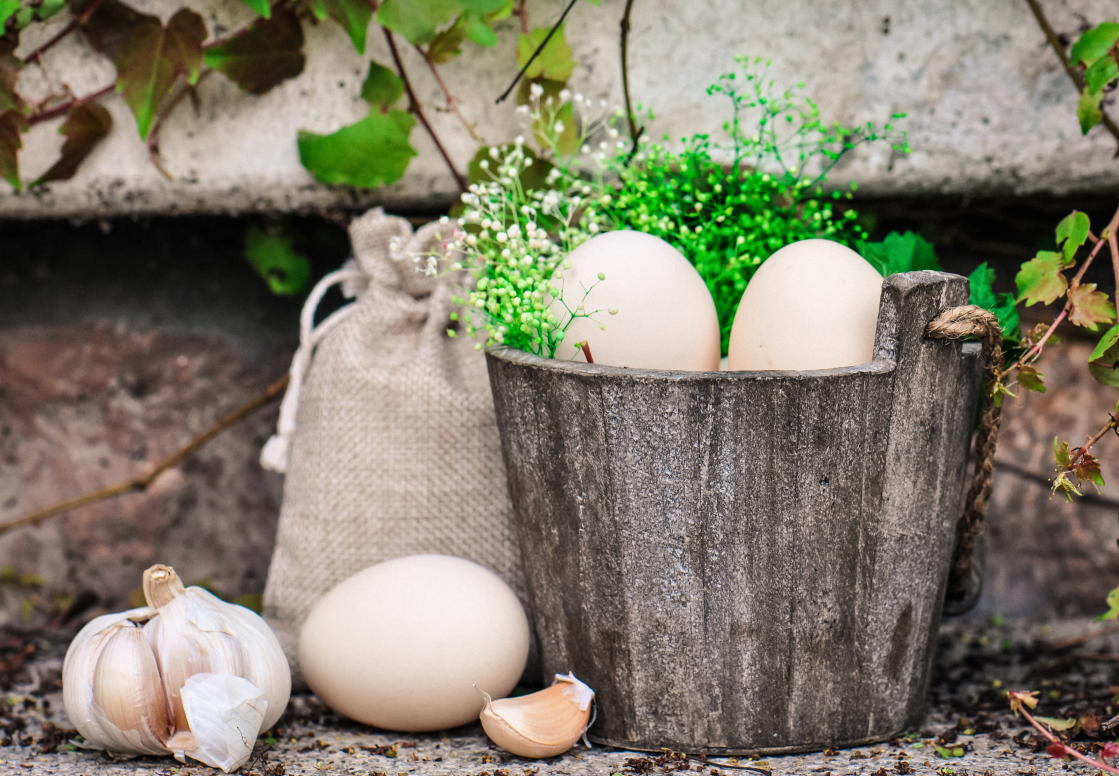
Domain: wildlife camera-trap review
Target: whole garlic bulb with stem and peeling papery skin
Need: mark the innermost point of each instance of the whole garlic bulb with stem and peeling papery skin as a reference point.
(189, 675)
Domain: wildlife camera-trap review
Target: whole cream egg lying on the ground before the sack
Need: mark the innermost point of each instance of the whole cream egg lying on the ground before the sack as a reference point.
(401, 646)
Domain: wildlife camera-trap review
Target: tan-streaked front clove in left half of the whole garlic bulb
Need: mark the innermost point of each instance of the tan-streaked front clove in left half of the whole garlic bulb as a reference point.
(129, 707)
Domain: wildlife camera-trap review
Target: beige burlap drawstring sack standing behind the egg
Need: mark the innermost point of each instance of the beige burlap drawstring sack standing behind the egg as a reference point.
(394, 450)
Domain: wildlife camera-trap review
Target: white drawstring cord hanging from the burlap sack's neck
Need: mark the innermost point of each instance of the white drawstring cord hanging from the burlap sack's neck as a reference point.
(277, 452)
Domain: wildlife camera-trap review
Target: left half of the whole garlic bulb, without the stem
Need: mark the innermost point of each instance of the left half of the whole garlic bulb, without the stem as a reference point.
(112, 689)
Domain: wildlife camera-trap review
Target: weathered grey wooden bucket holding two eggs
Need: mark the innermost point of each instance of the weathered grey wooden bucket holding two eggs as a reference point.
(746, 562)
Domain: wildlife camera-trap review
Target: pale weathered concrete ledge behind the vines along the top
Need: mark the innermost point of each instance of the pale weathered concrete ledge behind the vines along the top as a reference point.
(990, 109)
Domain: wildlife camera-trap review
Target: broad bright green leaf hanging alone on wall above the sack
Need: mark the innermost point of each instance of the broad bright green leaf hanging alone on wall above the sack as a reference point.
(373, 153)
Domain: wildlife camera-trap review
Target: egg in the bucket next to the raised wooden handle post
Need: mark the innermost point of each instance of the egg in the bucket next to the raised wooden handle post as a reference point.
(813, 305)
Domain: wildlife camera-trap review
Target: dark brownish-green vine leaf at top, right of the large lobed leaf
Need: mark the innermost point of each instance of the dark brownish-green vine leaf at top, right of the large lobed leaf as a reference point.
(265, 55)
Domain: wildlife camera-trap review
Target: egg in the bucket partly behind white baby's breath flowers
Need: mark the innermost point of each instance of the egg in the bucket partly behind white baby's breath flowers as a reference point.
(652, 311)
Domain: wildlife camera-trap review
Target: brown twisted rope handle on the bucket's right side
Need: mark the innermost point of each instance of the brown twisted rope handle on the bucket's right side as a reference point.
(956, 324)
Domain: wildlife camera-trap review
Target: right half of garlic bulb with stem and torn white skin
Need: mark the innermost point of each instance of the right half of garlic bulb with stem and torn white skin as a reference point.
(195, 633)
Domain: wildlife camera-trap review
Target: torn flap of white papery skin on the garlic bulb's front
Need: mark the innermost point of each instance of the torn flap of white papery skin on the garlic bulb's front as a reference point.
(227, 715)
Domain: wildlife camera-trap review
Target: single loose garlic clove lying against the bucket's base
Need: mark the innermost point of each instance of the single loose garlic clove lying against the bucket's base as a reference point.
(544, 724)
